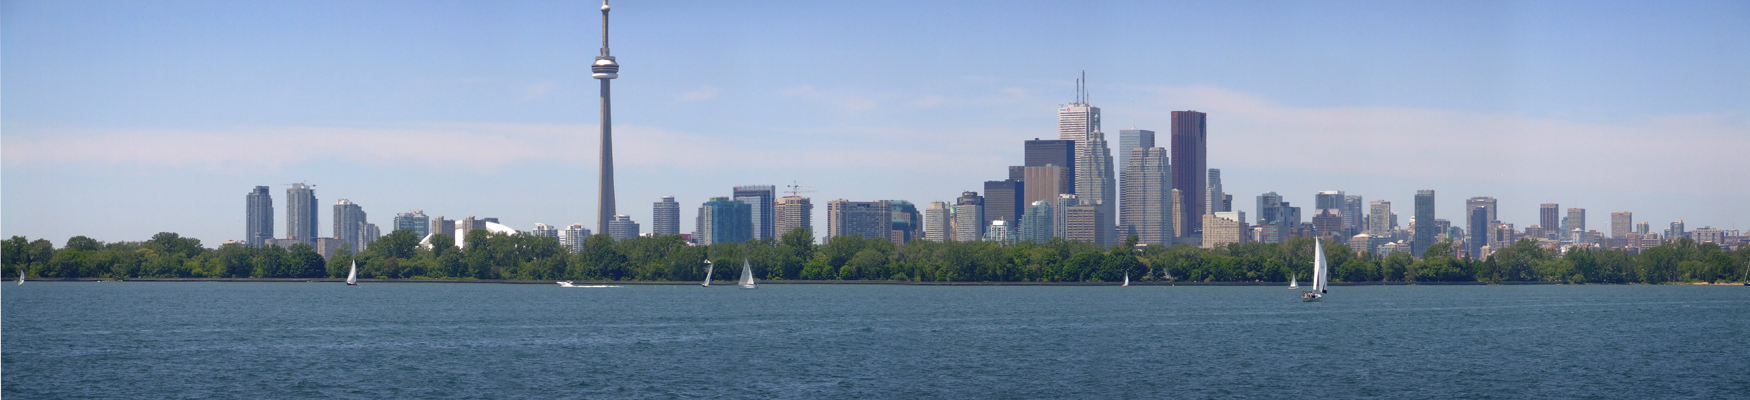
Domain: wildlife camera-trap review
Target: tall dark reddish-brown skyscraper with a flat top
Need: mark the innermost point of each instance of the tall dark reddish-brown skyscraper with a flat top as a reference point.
(1189, 167)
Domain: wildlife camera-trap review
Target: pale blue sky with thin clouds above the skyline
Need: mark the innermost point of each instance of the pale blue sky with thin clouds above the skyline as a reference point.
(123, 120)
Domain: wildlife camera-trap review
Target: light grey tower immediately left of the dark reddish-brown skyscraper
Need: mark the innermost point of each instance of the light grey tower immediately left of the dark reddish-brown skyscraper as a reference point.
(1147, 190)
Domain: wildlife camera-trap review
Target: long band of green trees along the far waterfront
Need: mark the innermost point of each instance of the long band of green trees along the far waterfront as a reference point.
(797, 256)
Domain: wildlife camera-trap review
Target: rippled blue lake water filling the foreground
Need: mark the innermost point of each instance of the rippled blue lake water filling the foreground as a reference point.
(869, 341)
